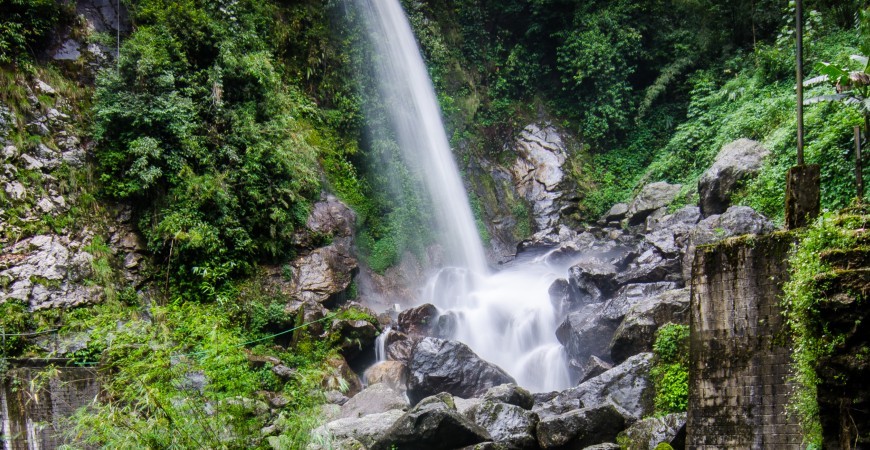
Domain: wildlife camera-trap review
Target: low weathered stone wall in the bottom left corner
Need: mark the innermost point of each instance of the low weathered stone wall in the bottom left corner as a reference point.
(33, 408)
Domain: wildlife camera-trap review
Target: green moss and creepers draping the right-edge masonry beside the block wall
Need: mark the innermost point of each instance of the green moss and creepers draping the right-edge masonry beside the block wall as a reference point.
(805, 297)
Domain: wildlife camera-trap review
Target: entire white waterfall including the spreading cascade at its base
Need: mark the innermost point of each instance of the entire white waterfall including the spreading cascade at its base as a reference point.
(505, 317)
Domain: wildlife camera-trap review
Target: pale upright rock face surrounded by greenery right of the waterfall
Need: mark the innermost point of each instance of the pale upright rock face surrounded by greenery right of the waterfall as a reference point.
(538, 174)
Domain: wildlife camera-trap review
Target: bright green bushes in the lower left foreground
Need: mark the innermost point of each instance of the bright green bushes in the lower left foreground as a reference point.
(180, 378)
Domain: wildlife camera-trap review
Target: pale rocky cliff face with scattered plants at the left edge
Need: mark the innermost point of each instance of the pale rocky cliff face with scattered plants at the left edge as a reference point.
(47, 255)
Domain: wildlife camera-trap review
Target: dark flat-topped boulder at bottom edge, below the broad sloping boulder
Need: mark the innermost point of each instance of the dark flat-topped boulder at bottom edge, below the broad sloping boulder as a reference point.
(580, 428)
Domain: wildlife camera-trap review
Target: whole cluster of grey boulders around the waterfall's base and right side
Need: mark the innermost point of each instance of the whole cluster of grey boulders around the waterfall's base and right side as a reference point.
(629, 281)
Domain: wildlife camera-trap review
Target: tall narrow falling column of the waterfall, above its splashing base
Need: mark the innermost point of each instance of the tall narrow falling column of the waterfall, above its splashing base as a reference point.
(414, 112)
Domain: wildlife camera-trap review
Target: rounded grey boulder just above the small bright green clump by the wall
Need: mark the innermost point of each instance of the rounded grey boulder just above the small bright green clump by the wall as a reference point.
(636, 333)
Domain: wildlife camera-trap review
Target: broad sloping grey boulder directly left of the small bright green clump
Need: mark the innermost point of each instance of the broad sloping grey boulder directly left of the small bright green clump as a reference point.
(627, 386)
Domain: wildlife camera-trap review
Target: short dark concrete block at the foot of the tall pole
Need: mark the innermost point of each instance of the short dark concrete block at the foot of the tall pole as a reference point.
(802, 196)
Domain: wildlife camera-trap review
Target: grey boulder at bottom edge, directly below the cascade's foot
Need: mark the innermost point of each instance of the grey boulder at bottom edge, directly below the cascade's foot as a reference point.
(509, 425)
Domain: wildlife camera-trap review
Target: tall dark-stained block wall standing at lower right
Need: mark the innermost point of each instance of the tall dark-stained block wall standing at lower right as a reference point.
(739, 356)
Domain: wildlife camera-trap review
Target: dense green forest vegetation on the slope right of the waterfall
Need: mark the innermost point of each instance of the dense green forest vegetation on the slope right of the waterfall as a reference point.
(654, 90)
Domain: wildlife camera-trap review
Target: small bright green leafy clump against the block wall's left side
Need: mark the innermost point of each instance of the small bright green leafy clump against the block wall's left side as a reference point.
(670, 370)
